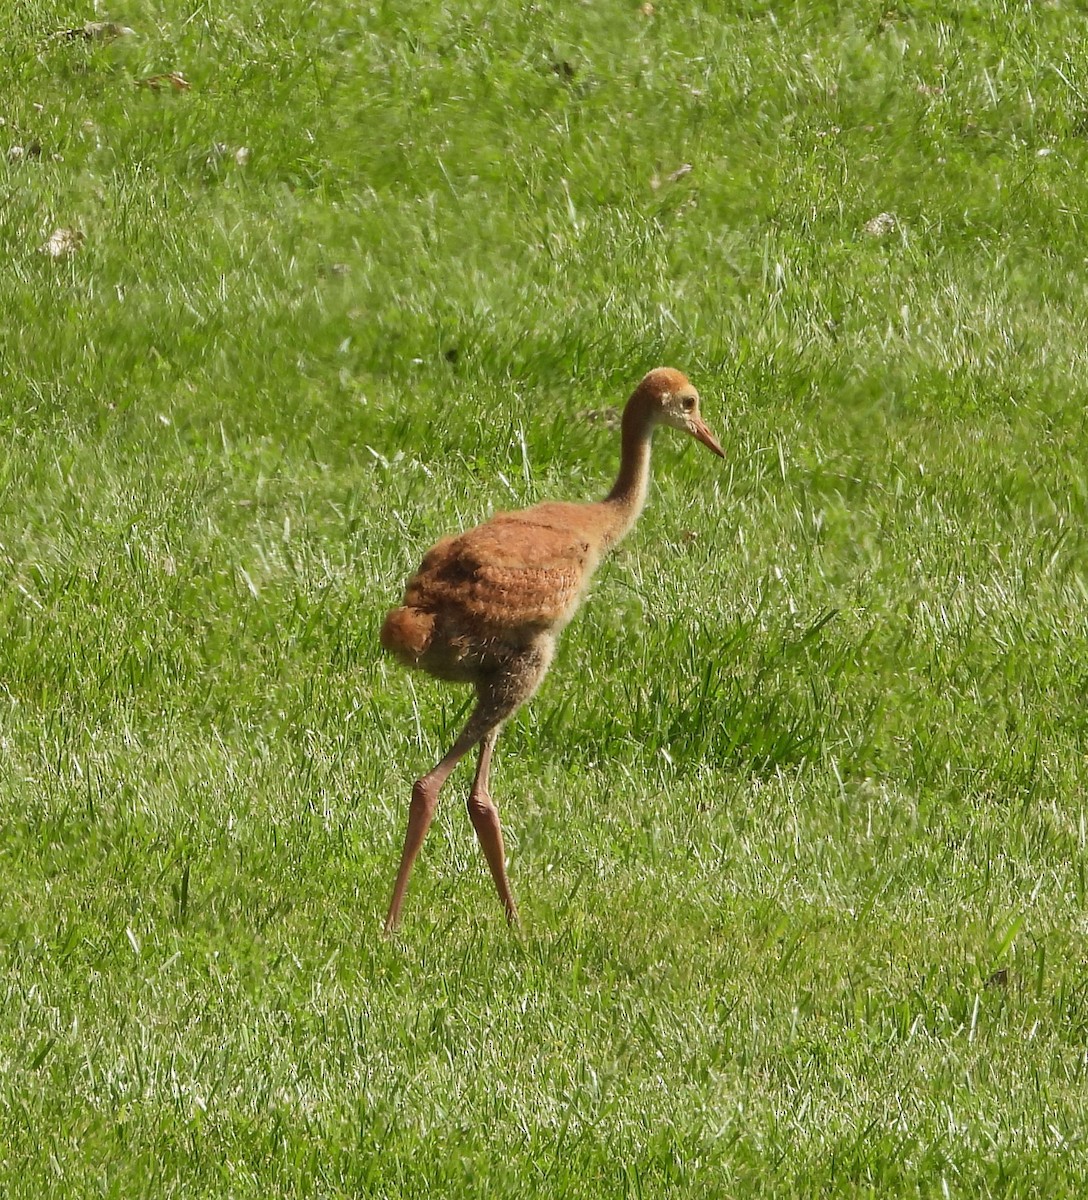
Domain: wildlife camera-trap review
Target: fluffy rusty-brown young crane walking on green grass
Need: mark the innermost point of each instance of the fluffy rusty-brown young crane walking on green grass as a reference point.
(486, 608)
